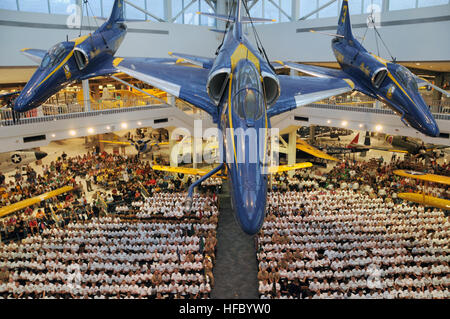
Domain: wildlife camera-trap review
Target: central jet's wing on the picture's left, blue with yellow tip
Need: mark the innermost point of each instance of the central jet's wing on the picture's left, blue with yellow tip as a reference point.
(186, 83)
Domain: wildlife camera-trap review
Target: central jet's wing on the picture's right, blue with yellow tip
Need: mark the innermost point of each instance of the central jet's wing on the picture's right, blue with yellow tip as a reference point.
(301, 90)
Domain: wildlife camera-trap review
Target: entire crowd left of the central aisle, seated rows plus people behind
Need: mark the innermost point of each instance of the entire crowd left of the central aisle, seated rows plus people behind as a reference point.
(128, 241)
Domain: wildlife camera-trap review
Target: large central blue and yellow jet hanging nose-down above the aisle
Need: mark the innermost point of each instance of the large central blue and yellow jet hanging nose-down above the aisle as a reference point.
(241, 91)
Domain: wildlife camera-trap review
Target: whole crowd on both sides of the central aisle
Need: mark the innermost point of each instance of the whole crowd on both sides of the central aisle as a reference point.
(341, 233)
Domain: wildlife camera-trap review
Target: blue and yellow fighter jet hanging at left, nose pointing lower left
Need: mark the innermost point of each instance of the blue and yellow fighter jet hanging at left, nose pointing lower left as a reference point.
(78, 59)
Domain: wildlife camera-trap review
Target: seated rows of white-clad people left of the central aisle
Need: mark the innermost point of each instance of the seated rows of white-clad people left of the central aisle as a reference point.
(109, 258)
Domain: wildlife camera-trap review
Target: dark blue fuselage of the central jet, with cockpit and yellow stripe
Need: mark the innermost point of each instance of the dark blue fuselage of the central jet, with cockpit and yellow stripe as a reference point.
(244, 123)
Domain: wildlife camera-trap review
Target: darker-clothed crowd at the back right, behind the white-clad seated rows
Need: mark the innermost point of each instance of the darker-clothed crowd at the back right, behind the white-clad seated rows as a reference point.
(374, 177)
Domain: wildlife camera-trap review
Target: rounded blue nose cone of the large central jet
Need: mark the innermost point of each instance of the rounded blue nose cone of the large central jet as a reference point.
(251, 212)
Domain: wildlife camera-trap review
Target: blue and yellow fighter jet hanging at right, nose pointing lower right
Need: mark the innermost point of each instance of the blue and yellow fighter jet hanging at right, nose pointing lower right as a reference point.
(378, 78)
